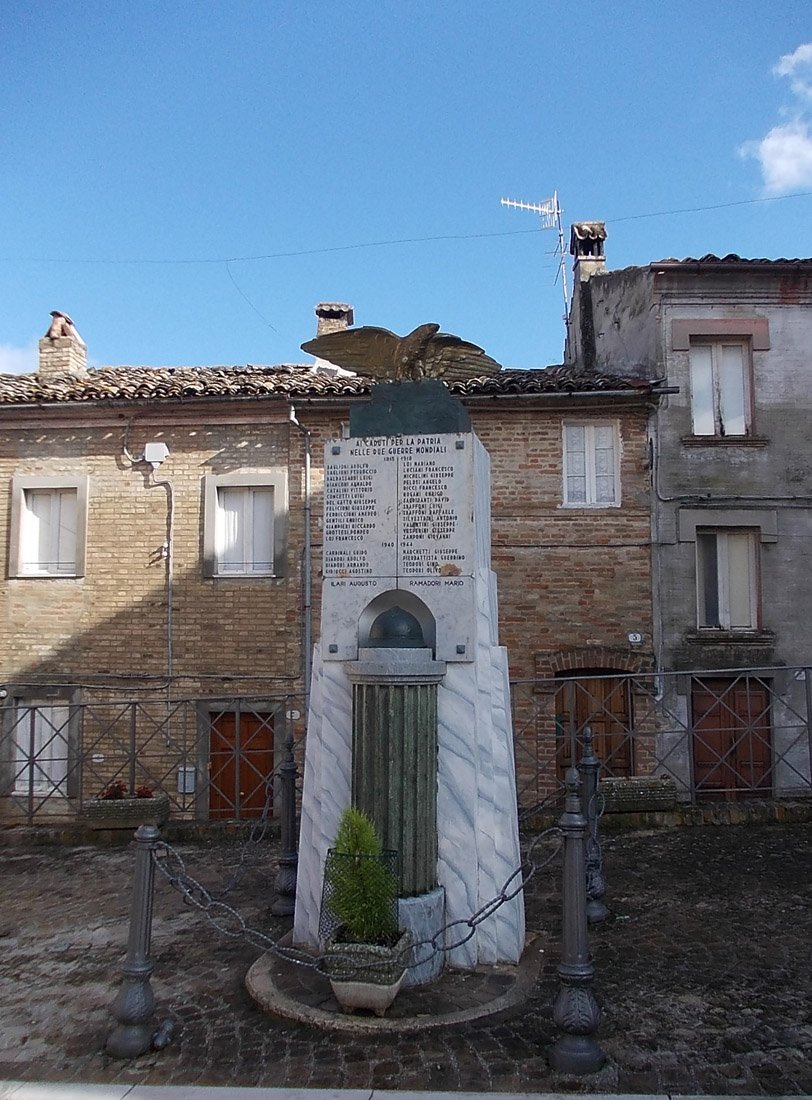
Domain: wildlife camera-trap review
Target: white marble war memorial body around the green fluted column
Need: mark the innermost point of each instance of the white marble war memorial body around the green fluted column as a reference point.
(408, 523)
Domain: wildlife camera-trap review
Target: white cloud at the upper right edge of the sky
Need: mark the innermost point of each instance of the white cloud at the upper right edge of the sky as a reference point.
(785, 153)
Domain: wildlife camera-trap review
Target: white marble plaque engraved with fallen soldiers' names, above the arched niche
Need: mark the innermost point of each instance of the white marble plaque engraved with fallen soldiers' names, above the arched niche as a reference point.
(400, 516)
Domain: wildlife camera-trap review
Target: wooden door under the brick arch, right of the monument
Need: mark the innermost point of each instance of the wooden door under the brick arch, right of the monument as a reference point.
(603, 703)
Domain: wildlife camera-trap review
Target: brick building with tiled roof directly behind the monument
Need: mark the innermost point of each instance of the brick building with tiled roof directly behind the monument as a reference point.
(161, 535)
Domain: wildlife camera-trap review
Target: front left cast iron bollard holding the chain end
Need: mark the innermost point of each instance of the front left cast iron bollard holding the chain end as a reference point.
(135, 1006)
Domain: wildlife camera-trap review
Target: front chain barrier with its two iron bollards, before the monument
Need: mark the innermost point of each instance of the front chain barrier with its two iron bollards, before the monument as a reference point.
(576, 1011)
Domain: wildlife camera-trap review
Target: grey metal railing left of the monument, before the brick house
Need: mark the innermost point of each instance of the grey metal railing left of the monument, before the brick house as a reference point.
(215, 758)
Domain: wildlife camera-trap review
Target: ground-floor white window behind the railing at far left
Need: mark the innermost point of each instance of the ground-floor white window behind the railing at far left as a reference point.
(40, 739)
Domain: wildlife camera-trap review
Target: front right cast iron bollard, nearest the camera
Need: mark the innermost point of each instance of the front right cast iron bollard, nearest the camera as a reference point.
(576, 1010)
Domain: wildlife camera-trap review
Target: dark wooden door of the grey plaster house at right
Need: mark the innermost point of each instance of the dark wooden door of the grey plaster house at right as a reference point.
(731, 724)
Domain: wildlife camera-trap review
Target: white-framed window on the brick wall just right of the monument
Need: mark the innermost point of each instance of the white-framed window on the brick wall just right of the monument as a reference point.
(591, 475)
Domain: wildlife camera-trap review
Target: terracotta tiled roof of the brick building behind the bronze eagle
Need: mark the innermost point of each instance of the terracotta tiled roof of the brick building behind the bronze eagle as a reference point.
(122, 384)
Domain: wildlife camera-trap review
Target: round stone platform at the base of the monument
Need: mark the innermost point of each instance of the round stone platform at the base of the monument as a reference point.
(302, 994)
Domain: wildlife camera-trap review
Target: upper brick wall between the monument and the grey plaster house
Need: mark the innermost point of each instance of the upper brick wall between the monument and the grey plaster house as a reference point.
(569, 579)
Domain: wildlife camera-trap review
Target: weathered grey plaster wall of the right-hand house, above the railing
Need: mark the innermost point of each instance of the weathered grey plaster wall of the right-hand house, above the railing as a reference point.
(772, 474)
